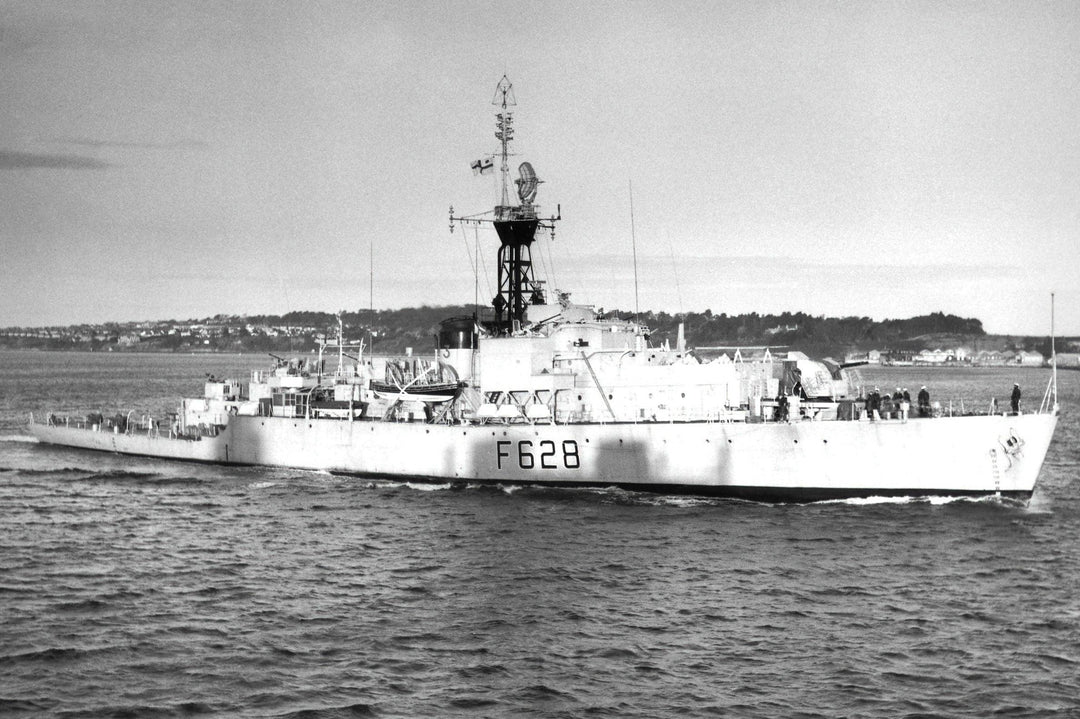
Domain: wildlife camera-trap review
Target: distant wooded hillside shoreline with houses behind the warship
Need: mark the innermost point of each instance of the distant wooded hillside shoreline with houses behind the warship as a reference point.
(934, 341)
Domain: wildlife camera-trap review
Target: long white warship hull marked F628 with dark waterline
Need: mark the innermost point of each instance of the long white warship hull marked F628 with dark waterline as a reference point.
(806, 462)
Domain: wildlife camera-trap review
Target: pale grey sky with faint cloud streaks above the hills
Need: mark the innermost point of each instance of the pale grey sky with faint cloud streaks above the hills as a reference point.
(174, 160)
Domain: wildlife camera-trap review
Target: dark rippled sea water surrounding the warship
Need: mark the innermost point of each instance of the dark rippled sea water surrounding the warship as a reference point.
(136, 588)
